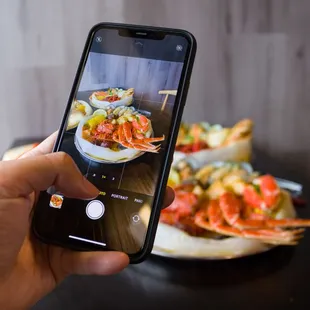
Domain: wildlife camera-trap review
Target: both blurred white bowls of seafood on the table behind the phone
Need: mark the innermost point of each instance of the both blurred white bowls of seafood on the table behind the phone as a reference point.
(223, 208)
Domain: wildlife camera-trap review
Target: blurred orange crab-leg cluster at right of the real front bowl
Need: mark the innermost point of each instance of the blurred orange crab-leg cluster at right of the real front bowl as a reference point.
(249, 215)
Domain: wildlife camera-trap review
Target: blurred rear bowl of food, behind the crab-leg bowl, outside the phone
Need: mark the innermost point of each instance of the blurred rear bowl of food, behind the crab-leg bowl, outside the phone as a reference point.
(205, 143)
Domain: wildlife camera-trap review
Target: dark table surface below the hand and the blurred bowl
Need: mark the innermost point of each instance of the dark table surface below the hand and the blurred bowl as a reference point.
(277, 279)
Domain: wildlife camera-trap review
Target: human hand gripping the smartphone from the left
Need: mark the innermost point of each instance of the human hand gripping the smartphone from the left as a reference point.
(29, 269)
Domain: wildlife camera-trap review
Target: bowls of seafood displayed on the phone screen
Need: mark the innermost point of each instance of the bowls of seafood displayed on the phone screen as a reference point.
(110, 130)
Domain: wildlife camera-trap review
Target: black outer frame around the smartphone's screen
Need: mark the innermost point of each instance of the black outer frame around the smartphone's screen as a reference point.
(171, 138)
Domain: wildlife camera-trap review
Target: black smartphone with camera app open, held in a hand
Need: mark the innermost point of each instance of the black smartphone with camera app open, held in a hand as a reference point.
(120, 127)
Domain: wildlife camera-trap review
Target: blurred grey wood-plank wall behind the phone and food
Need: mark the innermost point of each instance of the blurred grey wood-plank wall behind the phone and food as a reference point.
(252, 61)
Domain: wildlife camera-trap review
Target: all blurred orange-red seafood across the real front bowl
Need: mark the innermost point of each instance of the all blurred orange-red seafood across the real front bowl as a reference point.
(238, 214)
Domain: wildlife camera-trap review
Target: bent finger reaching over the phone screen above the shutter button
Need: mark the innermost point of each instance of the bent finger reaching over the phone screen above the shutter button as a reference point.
(22, 177)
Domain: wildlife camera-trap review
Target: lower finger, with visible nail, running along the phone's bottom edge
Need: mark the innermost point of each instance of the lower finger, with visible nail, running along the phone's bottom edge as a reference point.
(65, 262)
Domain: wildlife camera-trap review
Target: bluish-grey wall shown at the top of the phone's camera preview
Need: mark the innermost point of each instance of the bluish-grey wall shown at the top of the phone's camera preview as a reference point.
(146, 76)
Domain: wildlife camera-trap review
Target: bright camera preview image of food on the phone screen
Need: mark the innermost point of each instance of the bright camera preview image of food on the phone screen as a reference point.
(120, 118)
